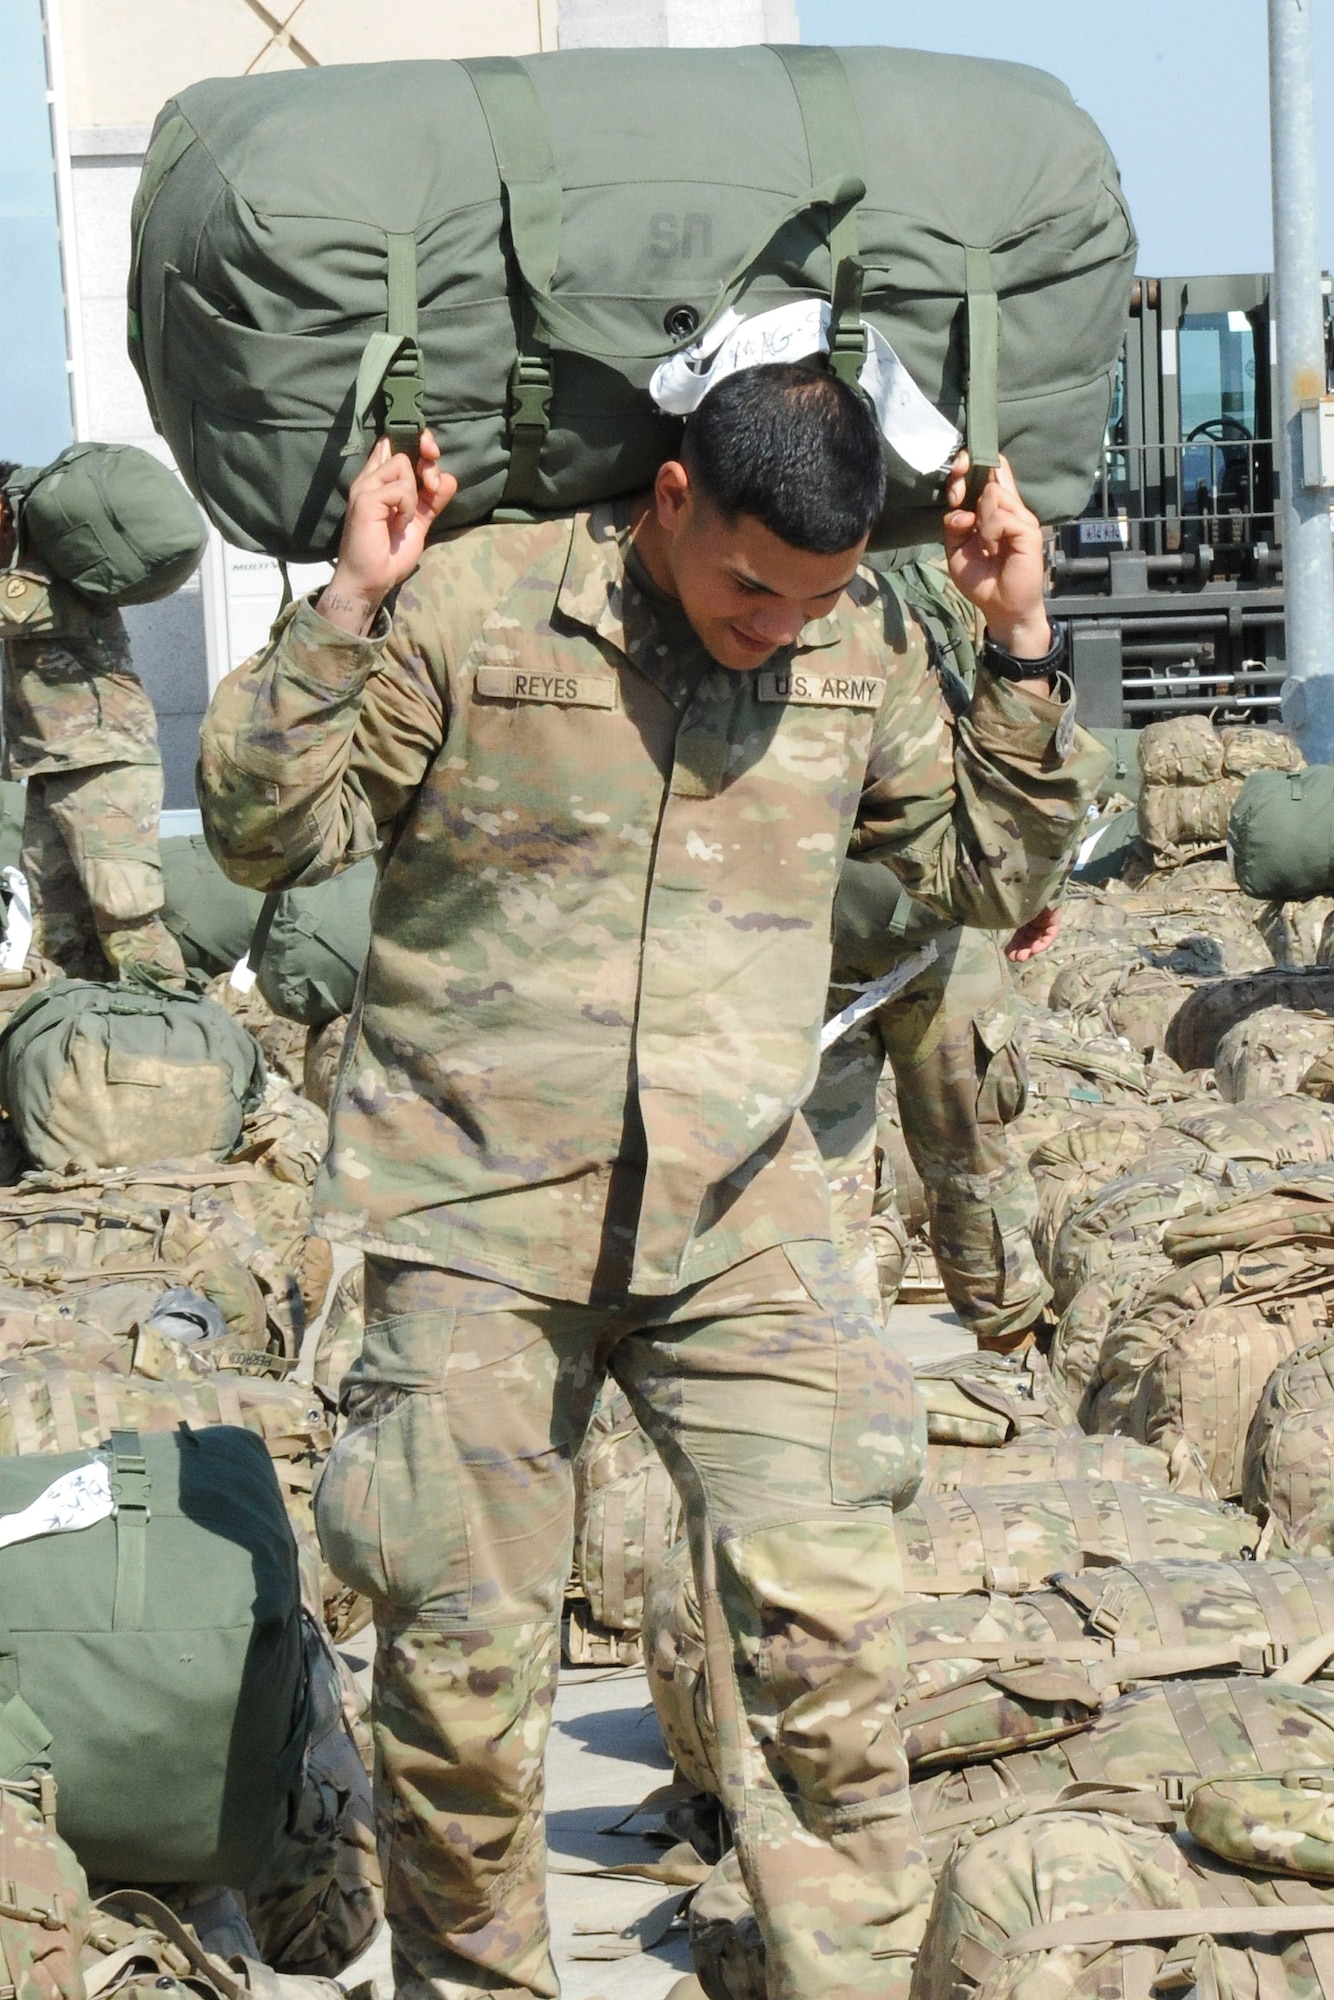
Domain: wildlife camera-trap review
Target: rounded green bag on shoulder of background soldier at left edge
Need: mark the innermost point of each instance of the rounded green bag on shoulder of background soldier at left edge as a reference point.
(111, 521)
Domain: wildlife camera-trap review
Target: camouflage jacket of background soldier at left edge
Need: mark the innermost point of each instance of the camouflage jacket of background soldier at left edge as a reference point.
(71, 697)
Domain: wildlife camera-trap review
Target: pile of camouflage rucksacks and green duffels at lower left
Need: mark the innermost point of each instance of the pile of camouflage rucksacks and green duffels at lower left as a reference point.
(185, 1797)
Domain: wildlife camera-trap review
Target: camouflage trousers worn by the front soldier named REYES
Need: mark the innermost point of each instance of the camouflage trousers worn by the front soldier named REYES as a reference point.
(791, 1433)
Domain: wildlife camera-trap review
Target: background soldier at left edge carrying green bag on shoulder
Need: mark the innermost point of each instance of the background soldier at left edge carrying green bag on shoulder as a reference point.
(81, 729)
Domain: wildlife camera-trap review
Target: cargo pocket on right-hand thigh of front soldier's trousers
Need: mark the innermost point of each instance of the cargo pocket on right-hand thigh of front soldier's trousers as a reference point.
(879, 1431)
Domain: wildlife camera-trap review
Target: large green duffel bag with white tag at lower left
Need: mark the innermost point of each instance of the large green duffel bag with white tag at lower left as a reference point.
(155, 1657)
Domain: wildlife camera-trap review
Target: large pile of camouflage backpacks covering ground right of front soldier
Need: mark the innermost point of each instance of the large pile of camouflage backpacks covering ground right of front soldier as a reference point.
(1119, 1623)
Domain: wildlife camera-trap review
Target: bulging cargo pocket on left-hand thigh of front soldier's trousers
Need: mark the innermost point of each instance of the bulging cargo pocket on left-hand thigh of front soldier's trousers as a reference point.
(389, 1505)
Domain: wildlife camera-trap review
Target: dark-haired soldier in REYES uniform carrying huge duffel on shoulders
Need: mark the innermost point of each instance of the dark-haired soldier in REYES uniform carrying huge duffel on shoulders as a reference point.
(611, 765)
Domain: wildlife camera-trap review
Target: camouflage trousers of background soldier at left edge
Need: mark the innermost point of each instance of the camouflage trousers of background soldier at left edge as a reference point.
(95, 873)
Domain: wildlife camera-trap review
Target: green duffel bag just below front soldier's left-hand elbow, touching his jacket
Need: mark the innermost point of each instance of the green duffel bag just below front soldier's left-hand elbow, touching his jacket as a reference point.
(317, 947)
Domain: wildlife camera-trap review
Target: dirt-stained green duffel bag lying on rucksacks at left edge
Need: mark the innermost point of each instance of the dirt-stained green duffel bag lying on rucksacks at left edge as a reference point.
(111, 1077)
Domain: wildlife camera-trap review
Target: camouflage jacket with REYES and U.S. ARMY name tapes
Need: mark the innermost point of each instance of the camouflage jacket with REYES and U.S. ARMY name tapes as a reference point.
(607, 875)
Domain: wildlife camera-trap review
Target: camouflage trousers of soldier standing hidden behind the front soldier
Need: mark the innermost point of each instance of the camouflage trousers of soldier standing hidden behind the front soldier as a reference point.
(961, 1081)
